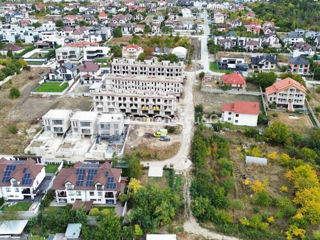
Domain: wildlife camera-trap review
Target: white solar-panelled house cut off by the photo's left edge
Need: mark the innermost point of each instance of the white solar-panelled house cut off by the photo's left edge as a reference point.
(20, 179)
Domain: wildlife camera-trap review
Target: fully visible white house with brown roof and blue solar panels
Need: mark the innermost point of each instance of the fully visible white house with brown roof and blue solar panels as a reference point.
(98, 183)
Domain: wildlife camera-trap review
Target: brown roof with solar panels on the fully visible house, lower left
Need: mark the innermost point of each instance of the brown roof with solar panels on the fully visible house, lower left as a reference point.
(103, 173)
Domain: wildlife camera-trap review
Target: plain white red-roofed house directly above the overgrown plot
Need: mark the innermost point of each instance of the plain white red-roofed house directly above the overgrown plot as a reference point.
(241, 113)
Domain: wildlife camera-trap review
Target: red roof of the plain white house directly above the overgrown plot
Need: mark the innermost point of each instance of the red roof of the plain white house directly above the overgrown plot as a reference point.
(242, 107)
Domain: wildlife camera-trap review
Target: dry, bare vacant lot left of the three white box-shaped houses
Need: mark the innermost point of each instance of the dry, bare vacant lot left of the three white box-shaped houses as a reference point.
(23, 114)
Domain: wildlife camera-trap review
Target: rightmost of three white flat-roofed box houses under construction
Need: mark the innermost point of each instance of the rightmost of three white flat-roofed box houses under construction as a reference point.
(110, 125)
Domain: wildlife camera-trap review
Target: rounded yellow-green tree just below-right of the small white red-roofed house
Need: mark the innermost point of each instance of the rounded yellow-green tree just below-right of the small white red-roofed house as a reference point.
(277, 133)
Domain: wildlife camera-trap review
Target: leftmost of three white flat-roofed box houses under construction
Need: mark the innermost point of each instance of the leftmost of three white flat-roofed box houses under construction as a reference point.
(57, 121)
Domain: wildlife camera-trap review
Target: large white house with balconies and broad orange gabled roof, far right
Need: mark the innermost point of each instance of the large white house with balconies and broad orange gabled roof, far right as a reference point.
(287, 93)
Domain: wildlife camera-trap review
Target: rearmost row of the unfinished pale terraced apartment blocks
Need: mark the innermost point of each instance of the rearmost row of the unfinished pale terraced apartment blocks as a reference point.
(148, 67)
